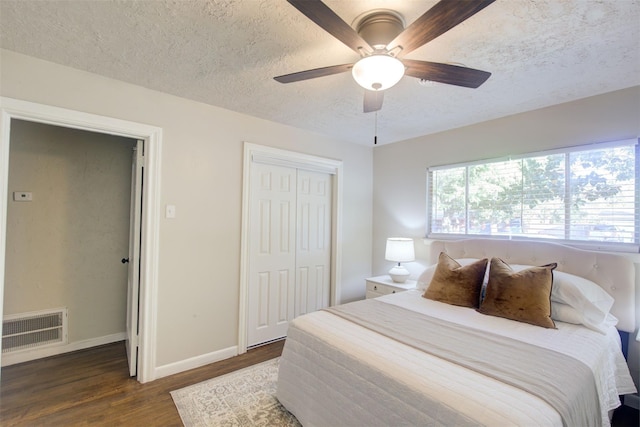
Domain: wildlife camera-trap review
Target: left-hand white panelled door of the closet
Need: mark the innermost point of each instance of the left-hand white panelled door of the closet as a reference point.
(272, 252)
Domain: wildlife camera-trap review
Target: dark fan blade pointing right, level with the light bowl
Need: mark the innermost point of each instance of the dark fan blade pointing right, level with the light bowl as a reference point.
(445, 73)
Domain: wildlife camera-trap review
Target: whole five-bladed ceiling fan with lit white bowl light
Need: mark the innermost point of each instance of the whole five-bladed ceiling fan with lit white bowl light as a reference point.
(382, 41)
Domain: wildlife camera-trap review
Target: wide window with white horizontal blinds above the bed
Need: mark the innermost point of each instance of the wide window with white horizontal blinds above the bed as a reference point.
(588, 193)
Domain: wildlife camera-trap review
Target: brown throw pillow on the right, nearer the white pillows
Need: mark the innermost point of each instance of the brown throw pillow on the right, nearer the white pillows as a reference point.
(524, 296)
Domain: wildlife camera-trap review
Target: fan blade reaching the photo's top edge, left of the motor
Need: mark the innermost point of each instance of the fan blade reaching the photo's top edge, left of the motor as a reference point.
(327, 19)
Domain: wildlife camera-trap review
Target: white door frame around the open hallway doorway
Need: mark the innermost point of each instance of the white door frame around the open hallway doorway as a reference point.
(10, 109)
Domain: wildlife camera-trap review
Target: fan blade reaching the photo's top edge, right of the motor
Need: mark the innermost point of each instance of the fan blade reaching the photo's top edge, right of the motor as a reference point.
(445, 15)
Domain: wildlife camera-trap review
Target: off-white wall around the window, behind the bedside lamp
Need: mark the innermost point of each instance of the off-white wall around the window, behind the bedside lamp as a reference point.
(399, 198)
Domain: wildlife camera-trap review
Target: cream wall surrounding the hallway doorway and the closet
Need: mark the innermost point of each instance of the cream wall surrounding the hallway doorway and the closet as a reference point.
(201, 175)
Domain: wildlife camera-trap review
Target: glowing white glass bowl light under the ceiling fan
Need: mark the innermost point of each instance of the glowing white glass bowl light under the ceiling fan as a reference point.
(378, 72)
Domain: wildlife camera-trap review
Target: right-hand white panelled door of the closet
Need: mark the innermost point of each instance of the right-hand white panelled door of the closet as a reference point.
(313, 250)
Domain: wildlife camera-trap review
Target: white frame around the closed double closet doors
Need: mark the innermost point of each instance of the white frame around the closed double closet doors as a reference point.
(279, 157)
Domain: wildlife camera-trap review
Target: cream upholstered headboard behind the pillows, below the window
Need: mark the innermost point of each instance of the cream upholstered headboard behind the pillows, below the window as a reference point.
(614, 273)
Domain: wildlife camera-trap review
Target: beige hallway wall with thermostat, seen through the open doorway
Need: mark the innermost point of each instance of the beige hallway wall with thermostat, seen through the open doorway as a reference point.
(64, 247)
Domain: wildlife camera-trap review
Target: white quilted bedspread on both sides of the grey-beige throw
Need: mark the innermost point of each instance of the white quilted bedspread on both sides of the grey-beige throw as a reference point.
(335, 372)
